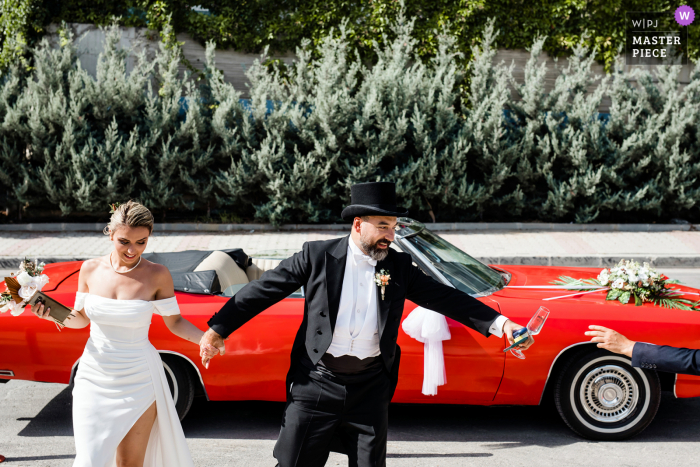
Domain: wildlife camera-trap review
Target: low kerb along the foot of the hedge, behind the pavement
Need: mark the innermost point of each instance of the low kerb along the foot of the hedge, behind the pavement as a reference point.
(439, 226)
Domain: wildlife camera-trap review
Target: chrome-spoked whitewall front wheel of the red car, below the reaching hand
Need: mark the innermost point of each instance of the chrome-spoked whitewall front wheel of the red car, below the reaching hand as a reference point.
(602, 397)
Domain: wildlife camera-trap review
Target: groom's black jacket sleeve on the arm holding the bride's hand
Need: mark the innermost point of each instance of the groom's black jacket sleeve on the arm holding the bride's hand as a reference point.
(274, 285)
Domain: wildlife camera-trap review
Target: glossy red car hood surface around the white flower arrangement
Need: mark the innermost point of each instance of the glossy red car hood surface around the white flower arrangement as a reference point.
(545, 275)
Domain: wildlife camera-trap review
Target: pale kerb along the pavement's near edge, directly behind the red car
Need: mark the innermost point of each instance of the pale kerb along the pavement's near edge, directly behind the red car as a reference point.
(563, 261)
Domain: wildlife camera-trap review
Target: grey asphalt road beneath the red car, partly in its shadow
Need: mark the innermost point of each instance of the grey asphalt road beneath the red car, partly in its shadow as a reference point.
(35, 430)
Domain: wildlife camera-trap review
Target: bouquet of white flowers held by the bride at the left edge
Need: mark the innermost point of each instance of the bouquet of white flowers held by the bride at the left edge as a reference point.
(21, 286)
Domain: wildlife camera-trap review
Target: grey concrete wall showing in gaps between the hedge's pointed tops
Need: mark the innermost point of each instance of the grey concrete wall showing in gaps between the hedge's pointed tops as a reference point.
(89, 40)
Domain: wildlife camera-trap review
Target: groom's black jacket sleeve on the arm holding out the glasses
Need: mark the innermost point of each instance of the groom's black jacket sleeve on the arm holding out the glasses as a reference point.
(455, 304)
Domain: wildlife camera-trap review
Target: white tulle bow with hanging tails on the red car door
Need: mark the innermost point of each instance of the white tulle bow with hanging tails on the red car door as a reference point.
(430, 328)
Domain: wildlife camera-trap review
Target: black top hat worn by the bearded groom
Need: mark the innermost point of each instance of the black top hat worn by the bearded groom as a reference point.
(373, 199)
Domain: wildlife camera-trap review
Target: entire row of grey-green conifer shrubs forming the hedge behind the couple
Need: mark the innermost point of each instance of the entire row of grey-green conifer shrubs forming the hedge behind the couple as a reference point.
(291, 153)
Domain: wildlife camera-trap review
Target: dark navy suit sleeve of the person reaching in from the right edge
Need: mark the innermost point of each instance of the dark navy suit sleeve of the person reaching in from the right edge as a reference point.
(666, 358)
